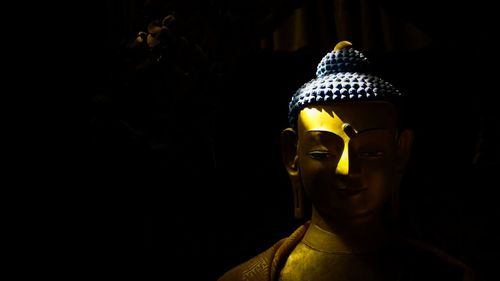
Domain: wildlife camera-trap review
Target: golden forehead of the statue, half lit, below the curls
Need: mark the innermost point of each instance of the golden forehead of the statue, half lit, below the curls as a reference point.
(360, 115)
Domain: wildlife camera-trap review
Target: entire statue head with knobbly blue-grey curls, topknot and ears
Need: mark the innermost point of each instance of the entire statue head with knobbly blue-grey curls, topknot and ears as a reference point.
(344, 148)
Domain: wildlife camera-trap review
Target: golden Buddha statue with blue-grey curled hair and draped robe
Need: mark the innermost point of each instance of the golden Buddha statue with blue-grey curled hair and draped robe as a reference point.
(346, 150)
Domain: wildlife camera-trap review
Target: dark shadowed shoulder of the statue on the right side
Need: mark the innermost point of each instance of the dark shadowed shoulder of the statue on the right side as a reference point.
(427, 261)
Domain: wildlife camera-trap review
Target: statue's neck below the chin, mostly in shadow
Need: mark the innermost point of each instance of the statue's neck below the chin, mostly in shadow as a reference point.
(363, 234)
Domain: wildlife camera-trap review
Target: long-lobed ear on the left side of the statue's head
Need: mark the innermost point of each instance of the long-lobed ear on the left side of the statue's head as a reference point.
(291, 162)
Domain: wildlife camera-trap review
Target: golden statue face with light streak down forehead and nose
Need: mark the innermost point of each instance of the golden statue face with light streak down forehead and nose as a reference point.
(347, 157)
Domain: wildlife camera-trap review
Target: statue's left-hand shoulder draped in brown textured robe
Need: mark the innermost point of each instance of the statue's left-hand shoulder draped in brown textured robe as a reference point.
(264, 266)
